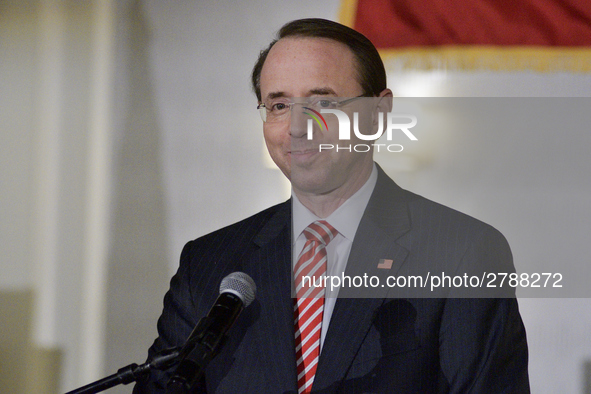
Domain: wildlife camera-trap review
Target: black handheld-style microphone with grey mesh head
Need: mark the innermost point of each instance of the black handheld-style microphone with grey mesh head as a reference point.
(237, 291)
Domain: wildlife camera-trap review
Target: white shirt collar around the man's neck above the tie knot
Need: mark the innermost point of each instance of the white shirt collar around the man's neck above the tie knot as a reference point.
(345, 218)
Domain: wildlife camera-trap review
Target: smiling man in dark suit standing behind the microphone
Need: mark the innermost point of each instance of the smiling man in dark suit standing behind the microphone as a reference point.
(377, 343)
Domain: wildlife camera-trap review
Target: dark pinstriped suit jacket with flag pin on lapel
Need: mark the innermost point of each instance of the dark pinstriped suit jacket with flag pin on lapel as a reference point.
(380, 344)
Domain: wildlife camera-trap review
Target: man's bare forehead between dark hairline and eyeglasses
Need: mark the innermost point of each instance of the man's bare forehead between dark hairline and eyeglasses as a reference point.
(298, 66)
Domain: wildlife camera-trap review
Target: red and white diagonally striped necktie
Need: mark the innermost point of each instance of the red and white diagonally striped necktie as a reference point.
(309, 305)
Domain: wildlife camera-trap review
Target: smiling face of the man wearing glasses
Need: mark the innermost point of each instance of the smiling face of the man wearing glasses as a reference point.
(311, 67)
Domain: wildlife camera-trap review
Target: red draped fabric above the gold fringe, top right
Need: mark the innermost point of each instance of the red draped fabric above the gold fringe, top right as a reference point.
(406, 23)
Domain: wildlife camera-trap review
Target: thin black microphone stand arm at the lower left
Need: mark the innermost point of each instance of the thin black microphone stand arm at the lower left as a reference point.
(131, 373)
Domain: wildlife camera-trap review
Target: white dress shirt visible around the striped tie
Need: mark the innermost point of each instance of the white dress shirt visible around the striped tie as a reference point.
(345, 219)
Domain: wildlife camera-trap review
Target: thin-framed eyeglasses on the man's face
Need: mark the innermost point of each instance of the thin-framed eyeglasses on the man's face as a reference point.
(278, 109)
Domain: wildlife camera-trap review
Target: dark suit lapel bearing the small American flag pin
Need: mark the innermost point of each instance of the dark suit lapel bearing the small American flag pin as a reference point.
(385, 220)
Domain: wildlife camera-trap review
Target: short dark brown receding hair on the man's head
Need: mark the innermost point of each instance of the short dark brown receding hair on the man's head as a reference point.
(370, 68)
